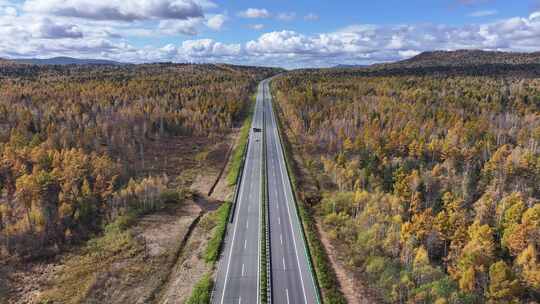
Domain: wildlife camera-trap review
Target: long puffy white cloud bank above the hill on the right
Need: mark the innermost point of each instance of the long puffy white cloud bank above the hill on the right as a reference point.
(371, 43)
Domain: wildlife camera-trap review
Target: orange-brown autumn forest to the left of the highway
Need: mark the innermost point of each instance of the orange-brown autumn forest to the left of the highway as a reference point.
(79, 144)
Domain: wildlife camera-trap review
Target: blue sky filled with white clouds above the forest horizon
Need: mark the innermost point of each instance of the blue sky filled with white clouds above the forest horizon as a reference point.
(278, 33)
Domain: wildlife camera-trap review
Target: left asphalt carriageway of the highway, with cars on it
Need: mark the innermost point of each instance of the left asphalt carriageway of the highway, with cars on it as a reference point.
(238, 274)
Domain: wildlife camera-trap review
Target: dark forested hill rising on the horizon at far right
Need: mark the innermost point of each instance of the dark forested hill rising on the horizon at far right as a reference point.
(465, 58)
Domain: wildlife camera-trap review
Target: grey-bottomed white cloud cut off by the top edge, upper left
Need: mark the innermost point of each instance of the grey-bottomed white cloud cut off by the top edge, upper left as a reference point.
(125, 10)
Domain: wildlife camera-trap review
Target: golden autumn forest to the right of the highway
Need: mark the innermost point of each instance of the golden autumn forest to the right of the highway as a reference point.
(428, 184)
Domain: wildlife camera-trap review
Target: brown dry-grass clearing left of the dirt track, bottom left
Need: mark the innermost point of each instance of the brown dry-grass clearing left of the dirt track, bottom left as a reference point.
(123, 268)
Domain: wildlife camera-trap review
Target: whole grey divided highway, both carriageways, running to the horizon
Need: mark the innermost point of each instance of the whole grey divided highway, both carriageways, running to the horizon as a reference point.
(238, 273)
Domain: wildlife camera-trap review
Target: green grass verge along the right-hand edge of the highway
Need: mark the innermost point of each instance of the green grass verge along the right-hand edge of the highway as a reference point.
(324, 273)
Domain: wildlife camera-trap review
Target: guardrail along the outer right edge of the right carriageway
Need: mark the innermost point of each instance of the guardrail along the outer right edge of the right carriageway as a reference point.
(306, 245)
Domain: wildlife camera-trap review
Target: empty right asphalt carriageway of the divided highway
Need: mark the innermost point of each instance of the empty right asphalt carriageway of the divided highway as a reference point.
(292, 279)
